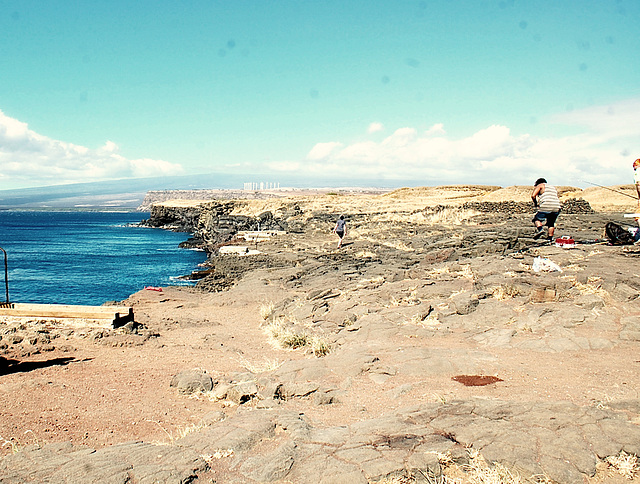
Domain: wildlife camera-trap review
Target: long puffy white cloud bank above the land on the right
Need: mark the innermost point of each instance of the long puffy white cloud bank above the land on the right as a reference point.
(597, 144)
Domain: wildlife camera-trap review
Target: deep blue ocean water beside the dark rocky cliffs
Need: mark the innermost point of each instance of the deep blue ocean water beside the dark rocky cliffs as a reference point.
(83, 257)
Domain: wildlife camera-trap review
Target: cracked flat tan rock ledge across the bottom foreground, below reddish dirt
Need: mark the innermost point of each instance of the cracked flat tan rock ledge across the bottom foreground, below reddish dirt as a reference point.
(560, 442)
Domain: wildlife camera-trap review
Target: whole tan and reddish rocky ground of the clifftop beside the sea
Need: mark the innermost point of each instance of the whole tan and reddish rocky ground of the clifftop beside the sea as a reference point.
(427, 349)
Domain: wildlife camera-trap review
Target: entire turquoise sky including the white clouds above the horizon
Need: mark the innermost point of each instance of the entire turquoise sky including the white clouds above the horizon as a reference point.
(495, 92)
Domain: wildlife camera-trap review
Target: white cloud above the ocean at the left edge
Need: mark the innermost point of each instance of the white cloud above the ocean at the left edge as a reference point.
(30, 159)
